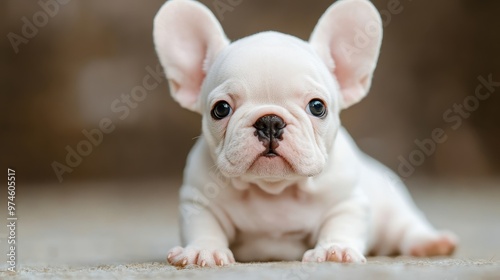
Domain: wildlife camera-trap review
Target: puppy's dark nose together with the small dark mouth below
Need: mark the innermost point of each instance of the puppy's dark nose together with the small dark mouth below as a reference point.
(269, 130)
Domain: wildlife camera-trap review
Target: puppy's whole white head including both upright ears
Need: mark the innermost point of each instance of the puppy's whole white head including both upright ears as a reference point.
(270, 102)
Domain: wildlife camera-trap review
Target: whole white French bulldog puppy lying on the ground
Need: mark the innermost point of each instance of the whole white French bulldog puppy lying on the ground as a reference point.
(274, 176)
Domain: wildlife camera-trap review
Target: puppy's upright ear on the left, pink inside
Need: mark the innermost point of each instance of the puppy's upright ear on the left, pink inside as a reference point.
(187, 38)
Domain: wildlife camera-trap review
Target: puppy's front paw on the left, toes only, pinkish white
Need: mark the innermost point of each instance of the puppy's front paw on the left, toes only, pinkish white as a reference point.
(179, 256)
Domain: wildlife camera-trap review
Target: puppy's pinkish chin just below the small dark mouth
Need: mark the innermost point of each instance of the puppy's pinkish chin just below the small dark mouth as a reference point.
(271, 167)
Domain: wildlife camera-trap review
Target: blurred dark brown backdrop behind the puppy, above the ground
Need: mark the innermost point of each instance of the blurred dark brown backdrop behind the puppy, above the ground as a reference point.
(66, 77)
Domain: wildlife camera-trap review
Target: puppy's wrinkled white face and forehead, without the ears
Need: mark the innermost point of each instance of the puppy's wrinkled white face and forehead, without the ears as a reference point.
(270, 109)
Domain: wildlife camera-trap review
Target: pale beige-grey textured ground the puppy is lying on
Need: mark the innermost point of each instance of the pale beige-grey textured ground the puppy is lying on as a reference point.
(123, 230)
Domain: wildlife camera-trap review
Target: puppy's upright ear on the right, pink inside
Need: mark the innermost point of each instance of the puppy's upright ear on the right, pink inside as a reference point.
(348, 38)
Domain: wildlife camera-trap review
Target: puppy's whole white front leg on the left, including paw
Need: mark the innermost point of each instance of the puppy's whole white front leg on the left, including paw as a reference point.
(205, 242)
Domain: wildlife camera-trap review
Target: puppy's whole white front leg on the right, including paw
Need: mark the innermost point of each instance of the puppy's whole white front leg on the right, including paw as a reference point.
(342, 237)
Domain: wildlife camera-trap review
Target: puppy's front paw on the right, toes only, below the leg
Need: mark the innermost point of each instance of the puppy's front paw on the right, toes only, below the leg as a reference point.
(334, 253)
